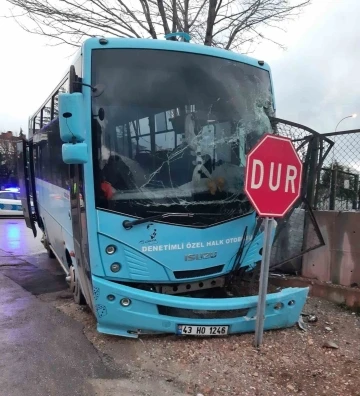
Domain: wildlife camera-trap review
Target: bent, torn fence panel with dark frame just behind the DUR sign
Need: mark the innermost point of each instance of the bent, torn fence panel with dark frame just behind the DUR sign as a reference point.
(289, 242)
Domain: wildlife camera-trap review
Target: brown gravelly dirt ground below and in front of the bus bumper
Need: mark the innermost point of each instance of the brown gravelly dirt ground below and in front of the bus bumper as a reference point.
(323, 360)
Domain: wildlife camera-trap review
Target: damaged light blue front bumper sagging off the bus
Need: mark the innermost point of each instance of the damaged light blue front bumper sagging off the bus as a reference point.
(142, 315)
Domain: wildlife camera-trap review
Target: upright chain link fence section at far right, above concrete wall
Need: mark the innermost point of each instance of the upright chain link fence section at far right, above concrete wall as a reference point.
(337, 185)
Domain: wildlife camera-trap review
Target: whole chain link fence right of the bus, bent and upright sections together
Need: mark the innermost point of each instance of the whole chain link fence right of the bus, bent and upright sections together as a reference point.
(331, 170)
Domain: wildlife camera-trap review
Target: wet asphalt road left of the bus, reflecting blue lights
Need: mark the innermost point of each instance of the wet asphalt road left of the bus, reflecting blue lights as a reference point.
(46, 352)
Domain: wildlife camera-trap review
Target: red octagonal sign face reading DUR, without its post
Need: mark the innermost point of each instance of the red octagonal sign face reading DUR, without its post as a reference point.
(273, 176)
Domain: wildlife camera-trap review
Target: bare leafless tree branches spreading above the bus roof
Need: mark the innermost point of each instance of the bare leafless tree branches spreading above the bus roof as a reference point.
(229, 24)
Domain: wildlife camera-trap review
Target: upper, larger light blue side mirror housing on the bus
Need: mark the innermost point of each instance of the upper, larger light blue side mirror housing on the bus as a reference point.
(71, 117)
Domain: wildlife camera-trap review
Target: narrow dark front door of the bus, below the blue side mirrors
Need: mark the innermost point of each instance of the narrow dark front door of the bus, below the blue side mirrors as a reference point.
(79, 226)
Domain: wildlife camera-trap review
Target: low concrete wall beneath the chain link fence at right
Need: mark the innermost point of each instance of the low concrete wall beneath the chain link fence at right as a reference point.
(339, 260)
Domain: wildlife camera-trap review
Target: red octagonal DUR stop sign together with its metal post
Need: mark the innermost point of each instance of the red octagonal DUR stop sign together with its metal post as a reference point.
(273, 185)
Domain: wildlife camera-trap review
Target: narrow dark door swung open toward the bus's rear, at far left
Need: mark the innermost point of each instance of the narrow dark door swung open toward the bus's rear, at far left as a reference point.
(25, 174)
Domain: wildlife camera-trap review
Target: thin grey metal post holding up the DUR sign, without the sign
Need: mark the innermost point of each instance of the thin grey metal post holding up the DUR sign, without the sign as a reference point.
(264, 276)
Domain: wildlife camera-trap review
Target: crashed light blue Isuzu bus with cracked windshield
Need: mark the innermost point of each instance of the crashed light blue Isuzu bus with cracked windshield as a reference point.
(135, 164)
